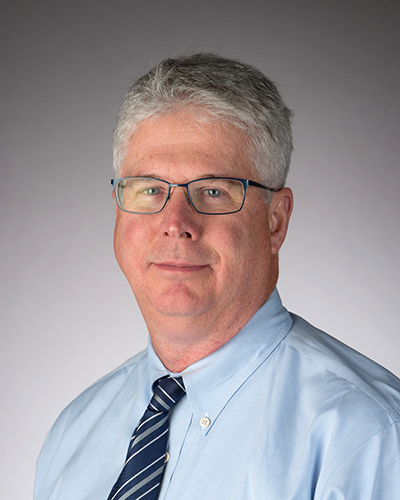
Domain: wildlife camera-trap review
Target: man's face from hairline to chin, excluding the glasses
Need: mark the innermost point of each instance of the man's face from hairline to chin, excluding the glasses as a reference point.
(183, 265)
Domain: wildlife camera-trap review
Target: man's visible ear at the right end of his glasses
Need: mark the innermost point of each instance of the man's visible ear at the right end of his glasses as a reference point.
(279, 212)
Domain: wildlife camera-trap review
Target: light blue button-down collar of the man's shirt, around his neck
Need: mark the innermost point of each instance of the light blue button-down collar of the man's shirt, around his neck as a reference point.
(213, 380)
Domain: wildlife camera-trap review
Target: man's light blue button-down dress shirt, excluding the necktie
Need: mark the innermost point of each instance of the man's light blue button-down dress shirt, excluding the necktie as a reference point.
(281, 412)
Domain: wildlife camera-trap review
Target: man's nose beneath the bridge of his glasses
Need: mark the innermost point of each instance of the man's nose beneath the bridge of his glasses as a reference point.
(179, 218)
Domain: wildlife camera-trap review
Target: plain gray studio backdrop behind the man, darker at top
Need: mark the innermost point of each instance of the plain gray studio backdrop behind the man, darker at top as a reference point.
(68, 315)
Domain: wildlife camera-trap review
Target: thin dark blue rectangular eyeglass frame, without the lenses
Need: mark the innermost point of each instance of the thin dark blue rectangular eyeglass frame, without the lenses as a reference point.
(245, 182)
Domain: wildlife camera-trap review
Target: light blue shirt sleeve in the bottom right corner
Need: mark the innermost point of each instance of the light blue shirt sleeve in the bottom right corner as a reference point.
(371, 472)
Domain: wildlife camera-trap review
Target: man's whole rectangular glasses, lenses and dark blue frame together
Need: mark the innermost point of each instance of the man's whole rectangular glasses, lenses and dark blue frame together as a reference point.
(211, 196)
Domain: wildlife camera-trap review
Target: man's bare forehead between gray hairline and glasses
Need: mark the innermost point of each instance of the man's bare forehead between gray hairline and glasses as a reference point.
(180, 145)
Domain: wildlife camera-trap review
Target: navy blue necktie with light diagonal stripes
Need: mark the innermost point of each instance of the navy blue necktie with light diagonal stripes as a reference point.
(141, 476)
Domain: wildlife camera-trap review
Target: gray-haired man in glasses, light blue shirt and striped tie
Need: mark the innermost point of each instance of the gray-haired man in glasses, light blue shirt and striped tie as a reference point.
(268, 406)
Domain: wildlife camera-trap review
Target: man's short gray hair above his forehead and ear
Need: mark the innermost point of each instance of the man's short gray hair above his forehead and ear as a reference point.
(224, 89)
